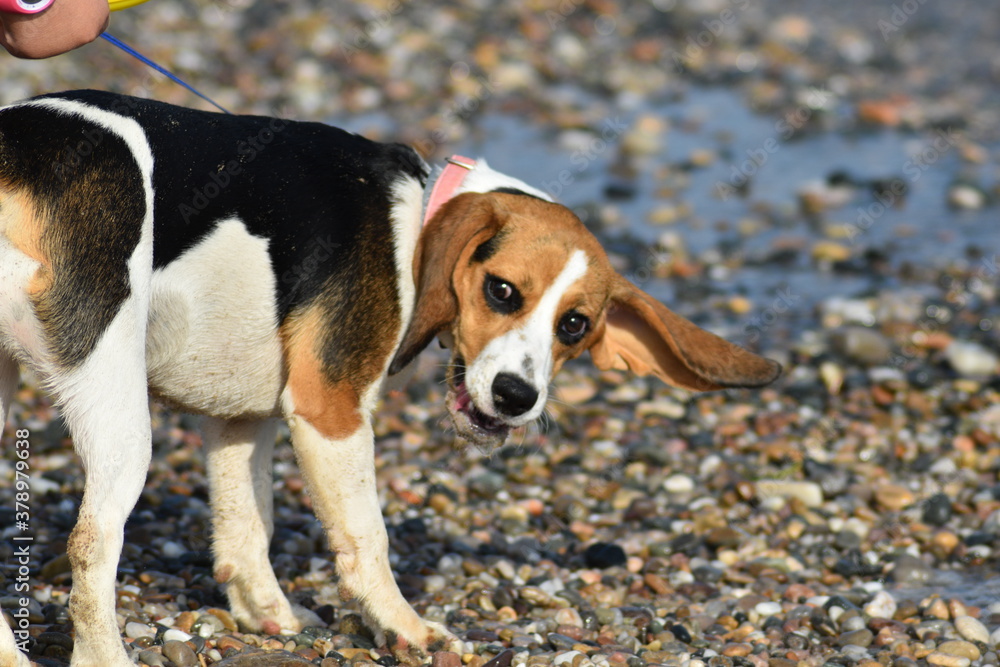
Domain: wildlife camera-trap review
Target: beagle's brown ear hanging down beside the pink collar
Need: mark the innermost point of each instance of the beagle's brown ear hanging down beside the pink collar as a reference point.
(451, 237)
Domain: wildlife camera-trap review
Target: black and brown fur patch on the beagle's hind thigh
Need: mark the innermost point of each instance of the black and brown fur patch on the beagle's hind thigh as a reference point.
(88, 191)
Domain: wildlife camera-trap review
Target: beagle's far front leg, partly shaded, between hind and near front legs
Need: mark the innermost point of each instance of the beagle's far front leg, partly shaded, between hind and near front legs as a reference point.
(239, 471)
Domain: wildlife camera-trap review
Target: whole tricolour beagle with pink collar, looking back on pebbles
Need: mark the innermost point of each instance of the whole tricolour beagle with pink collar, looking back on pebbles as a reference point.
(251, 269)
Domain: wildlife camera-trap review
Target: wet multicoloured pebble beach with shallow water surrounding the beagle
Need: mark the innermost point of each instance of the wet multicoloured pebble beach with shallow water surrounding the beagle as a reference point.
(818, 183)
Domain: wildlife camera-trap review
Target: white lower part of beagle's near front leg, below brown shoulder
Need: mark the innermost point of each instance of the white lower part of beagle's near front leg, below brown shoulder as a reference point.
(340, 476)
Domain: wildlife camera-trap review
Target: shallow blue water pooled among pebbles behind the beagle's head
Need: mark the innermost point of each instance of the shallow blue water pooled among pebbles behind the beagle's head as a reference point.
(920, 228)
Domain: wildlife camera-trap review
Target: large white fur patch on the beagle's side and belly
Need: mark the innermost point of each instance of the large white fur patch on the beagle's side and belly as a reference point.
(213, 344)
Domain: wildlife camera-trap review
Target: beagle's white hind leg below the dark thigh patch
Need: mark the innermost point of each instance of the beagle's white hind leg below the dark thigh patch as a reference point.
(104, 401)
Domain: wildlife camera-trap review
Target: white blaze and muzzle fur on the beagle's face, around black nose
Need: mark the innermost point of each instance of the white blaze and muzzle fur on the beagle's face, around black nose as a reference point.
(528, 347)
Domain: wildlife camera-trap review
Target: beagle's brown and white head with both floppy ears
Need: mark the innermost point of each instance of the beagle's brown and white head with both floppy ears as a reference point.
(516, 286)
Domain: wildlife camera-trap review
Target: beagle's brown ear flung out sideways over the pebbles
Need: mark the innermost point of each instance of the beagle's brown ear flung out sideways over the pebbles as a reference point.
(643, 336)
